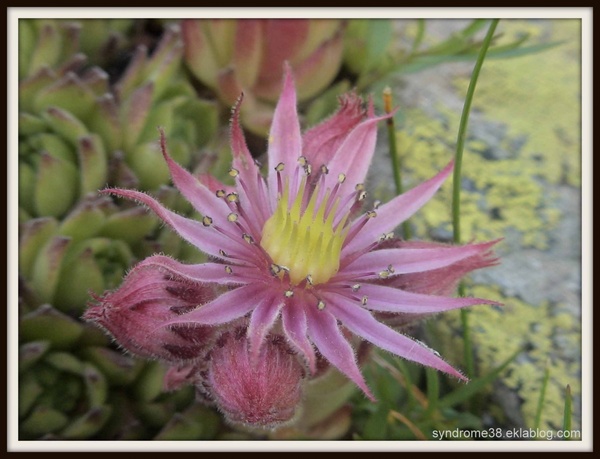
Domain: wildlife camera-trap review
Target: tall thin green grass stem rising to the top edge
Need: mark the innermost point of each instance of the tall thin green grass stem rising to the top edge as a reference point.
(460, 144)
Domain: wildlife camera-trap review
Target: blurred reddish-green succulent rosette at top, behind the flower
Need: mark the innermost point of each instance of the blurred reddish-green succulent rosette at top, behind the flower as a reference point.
(230, 56)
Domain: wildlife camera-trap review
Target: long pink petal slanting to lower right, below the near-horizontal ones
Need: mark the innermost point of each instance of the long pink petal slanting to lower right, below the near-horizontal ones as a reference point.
(362, 323)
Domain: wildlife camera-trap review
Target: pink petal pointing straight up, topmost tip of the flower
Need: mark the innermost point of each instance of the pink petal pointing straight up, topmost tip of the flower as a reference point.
(285, 138)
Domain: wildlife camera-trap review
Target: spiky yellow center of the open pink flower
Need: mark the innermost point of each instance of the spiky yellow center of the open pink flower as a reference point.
(306, 244)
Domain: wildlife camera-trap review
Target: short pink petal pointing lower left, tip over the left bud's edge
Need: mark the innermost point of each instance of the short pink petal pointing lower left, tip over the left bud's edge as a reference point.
(227, 307)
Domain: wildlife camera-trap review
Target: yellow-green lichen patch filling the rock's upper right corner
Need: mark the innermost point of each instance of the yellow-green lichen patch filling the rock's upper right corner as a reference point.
(538, 96)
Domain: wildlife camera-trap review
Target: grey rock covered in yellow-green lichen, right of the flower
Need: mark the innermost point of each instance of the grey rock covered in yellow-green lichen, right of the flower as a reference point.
(521, 181)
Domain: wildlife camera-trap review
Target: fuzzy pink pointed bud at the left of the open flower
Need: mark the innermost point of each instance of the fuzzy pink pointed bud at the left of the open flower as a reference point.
(151, 295)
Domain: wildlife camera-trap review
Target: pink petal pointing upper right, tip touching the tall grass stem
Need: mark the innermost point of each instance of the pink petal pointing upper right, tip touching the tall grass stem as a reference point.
(396, 211)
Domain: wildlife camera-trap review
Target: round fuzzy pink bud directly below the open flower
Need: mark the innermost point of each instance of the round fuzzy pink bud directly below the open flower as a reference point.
(264, 392)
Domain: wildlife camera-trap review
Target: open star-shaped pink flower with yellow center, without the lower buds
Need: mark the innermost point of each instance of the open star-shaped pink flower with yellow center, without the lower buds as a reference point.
(293, 251)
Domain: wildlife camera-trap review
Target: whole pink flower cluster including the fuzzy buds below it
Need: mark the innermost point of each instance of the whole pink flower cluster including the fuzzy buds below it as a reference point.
(294, 258)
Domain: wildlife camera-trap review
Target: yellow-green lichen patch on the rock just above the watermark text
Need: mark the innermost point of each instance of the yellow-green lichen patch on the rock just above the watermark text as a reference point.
(499, 332)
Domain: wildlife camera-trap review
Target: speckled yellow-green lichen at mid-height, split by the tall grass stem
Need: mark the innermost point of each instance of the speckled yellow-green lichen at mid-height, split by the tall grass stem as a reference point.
(503, 194)
